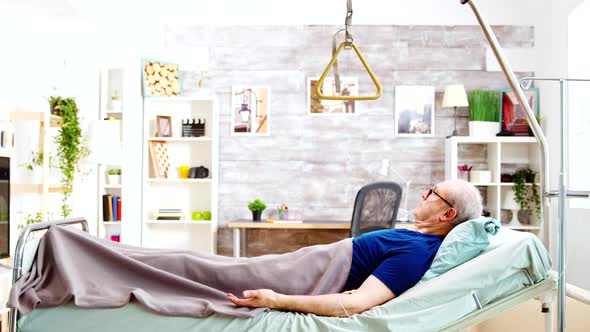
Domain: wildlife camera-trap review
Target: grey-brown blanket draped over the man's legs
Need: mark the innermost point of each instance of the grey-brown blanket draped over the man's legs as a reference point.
(97, 273)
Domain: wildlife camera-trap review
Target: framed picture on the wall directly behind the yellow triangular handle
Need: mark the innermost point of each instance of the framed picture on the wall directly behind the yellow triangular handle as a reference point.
(317, 106)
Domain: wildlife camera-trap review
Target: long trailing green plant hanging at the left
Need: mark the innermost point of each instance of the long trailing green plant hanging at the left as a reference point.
(71, 146)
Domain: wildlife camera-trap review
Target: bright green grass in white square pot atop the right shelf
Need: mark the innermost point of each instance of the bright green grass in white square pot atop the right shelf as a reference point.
(484, 112)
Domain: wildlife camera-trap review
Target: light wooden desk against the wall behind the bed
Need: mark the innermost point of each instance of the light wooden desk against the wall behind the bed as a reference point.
(241, 226)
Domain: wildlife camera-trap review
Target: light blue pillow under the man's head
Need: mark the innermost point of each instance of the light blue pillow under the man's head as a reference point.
(466, 241)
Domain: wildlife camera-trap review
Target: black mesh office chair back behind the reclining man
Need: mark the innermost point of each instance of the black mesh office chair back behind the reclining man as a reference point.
(375, 207)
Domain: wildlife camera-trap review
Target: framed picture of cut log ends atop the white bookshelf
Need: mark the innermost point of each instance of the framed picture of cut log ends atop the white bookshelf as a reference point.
(160, 79)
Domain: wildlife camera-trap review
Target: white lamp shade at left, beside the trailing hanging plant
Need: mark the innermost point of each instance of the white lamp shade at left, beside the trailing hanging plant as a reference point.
(104, 141)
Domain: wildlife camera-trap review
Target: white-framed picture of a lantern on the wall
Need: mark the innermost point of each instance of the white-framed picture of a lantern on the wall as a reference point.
(250, 111)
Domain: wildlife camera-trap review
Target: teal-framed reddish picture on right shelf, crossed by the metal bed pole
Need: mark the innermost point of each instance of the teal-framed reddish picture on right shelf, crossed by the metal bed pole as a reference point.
(512, 117)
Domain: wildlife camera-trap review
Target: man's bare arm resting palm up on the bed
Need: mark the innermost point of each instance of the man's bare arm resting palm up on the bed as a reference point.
(371, 293)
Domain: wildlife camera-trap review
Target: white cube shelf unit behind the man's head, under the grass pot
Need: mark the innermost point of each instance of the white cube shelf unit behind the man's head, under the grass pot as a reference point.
(503, 155)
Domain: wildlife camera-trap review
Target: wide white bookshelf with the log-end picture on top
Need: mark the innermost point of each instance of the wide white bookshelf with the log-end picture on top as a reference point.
(172, 192)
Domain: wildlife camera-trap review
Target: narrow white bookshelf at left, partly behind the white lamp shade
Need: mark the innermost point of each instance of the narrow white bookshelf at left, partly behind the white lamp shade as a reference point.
(111, 84)
